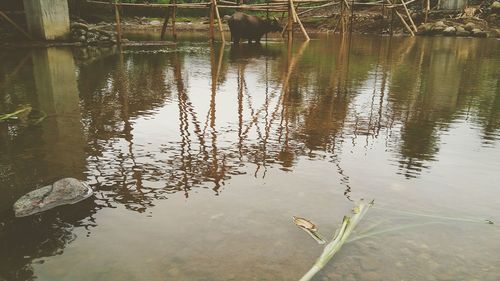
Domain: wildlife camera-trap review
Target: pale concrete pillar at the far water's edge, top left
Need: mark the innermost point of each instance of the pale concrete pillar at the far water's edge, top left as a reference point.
(47, 19)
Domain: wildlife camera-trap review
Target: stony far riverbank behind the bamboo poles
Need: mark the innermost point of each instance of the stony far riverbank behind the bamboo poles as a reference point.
(475, 21)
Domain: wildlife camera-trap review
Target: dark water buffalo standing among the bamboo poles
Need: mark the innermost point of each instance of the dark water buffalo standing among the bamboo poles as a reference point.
(243, 26)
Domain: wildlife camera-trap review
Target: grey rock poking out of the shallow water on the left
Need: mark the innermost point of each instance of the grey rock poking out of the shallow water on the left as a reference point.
(62, 192)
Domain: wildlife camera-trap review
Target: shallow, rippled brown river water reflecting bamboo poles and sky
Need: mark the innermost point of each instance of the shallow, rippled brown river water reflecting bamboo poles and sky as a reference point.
(200, 154)
